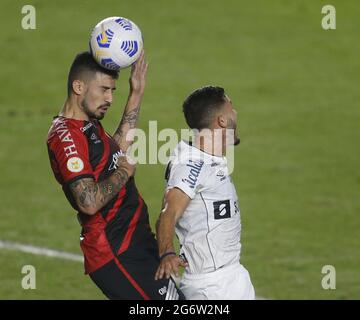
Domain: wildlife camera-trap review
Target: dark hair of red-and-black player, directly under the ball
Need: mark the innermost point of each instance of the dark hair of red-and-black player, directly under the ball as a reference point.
(84, 62)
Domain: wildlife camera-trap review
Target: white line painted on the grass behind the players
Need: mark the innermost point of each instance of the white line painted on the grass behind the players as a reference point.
(41, 251)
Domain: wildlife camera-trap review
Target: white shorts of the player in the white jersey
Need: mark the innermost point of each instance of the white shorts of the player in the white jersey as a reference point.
(227, 283)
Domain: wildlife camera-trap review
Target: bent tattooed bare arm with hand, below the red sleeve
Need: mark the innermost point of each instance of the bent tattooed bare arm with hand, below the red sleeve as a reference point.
(90, 196)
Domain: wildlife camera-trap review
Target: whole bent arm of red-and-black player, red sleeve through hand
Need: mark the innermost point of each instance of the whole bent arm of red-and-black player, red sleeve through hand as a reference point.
(68, 149)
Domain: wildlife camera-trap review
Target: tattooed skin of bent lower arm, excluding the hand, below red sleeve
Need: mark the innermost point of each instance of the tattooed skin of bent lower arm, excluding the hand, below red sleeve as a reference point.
(89, 193)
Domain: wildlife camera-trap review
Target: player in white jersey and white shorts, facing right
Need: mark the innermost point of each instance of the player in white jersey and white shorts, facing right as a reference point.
(202, 207)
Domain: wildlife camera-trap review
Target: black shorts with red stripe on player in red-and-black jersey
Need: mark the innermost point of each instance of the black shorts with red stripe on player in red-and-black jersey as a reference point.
(128, 279)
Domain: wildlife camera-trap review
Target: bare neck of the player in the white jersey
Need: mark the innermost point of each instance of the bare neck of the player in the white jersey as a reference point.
(210, 142)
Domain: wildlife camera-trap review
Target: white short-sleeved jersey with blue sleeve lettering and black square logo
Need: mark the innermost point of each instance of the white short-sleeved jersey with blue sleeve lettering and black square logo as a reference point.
(209, 230)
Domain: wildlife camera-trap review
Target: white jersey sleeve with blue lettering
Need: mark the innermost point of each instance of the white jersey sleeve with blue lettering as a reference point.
(188, 177)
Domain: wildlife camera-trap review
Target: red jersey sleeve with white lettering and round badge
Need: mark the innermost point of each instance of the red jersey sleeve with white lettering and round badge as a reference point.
(71, 154)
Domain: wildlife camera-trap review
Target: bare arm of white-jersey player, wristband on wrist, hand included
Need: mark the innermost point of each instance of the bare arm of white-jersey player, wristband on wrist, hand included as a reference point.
(174, 205)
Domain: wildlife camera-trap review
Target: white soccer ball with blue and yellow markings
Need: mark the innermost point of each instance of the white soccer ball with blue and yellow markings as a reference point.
(116, 43)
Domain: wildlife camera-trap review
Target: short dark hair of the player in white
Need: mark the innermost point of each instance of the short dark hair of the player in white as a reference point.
(199, 107)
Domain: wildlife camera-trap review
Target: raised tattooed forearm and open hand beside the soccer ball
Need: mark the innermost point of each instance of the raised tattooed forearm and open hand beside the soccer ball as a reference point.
(124, 134)
